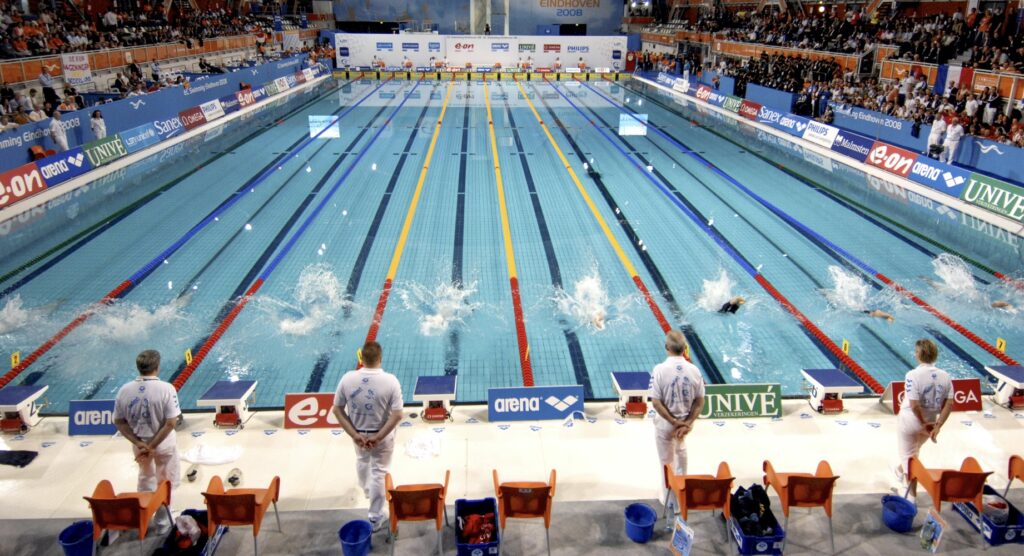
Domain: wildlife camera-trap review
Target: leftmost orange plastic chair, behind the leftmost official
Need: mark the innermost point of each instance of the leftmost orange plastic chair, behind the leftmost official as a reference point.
(126, 511)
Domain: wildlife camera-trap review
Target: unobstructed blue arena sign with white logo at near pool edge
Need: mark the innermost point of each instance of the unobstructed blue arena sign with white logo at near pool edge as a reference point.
(535, 404)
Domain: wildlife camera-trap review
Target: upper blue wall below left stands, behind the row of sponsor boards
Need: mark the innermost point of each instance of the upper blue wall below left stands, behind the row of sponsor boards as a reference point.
(160, 109)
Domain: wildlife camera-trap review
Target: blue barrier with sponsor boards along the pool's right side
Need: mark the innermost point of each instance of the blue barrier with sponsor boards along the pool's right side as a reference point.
(979, 190)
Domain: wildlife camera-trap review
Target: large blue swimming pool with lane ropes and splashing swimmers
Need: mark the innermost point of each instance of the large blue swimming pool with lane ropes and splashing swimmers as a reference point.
(398, 226)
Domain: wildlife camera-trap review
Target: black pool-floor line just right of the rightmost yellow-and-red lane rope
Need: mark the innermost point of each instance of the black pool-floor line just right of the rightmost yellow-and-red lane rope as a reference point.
(698, 347)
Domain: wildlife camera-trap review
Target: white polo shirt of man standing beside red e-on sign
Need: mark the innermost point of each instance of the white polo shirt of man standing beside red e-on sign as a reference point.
(369, 397)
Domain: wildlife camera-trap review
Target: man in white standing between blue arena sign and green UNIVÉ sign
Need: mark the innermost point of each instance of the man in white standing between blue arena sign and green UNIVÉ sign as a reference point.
(677, 392)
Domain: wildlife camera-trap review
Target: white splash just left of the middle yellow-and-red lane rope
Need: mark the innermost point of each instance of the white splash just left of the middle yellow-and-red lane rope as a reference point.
(440, 309)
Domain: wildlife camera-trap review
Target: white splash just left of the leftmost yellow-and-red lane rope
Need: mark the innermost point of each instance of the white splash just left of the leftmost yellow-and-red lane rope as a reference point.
(319, 297)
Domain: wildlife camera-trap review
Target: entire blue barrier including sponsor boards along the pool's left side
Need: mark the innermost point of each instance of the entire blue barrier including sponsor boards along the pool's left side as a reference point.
(143, 122)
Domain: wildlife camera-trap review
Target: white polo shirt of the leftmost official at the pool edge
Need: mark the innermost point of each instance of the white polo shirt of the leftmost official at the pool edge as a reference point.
(147, 404)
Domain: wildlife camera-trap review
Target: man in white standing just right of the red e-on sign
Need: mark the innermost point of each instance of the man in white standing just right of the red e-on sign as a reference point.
(368, 405)
